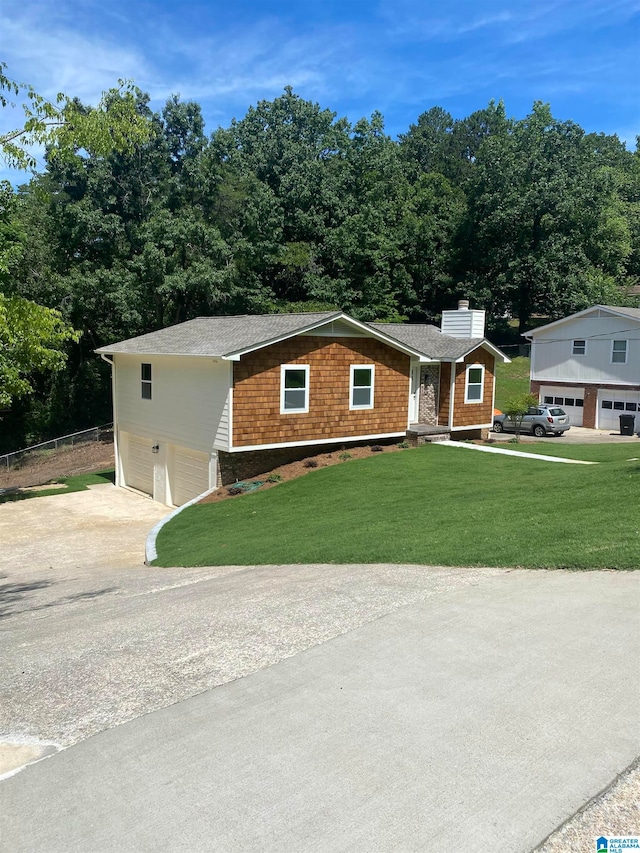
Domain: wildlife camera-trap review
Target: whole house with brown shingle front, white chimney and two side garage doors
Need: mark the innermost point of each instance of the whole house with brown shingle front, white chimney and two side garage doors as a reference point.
(216, 399)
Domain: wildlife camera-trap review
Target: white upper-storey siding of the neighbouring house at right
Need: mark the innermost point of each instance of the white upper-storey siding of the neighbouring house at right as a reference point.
(552, 358)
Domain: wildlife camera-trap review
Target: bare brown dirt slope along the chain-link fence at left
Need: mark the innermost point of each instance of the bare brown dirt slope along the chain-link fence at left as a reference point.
(43, 466)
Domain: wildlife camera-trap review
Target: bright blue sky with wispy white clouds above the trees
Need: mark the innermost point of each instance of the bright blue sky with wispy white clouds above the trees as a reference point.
(397, 56)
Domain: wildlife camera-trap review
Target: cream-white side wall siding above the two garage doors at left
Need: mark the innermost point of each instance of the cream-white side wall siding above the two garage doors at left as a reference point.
(189, 403)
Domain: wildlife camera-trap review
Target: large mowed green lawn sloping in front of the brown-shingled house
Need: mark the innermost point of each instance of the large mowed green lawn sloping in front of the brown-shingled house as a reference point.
(432, 505)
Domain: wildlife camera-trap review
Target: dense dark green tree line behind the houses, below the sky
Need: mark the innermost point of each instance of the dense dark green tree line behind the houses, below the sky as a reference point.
(292, 208)
